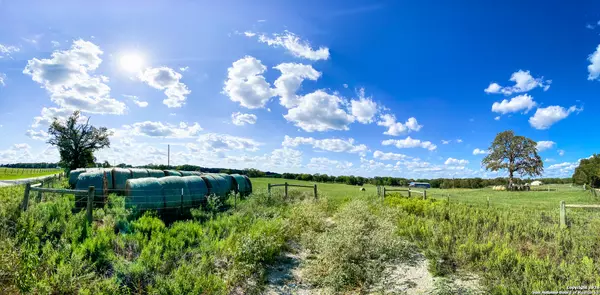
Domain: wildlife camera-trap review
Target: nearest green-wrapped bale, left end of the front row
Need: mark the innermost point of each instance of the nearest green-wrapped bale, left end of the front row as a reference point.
(144, 194)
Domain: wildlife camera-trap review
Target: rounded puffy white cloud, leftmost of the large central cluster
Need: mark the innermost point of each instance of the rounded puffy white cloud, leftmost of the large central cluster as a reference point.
(246, 84)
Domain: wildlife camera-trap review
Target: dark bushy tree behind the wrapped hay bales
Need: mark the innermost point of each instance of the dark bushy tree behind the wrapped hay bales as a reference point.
(77, 142)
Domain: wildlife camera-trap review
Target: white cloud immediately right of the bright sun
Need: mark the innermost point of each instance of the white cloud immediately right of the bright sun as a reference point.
(167, 79)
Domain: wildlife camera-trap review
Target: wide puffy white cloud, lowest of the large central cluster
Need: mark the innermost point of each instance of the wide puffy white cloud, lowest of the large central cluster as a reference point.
(319, 111)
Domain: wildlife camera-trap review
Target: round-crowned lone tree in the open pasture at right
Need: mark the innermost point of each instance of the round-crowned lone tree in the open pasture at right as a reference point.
(513, 153)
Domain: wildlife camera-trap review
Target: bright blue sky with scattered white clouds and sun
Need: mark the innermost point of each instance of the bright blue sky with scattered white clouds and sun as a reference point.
(400, 88)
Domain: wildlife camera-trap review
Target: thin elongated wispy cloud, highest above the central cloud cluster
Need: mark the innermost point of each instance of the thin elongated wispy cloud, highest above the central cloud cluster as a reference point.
(295, 46)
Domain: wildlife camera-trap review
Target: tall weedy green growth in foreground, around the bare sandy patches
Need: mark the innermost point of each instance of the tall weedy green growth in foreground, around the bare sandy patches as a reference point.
(351, 237)
